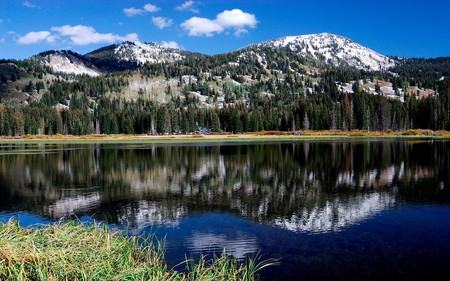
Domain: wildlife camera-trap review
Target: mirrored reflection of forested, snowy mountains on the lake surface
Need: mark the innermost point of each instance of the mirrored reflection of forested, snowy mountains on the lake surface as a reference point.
(302, 187)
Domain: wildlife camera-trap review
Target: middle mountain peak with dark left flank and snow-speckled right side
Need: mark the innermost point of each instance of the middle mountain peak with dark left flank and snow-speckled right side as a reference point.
(130, 55)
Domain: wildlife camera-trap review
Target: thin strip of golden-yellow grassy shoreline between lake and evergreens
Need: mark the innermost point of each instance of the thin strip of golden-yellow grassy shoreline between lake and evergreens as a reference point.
(265, 136)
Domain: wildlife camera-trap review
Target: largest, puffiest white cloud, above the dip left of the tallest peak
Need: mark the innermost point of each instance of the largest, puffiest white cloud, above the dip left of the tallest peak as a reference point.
(236, 20)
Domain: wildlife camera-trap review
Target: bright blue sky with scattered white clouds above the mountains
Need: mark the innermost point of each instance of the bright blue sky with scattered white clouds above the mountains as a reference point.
(403, 28)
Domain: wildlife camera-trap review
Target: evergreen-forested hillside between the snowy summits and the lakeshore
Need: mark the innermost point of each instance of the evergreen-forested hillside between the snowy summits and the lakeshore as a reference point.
(256, 88)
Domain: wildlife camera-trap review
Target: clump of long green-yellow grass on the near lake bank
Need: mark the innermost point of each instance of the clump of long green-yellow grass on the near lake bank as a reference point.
(73, 251)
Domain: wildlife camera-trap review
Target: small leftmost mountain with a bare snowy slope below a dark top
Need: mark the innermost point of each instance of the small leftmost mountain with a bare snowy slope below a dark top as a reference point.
(67, 62)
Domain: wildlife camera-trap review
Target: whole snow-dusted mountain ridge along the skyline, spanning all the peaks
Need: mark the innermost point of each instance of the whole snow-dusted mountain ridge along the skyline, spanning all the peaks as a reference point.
(322, 50)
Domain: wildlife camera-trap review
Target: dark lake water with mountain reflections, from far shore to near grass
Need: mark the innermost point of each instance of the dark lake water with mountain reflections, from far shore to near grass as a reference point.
(369, 210)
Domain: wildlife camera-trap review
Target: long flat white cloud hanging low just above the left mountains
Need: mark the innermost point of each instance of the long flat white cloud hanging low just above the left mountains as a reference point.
(85, 35)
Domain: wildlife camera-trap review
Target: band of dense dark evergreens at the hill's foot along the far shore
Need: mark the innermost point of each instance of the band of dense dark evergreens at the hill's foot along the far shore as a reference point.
(329, 110)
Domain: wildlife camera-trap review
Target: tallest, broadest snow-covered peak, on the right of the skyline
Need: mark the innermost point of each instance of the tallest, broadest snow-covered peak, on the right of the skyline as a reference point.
(331, 49)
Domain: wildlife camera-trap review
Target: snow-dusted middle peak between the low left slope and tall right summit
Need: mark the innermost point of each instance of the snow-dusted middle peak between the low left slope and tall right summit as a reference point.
(139, 53)
